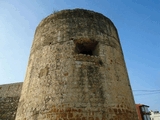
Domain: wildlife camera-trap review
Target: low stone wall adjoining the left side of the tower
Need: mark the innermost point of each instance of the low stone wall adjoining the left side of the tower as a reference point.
(9, 98)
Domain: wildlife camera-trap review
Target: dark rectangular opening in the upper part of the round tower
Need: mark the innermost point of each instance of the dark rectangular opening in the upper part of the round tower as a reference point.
(86, 46)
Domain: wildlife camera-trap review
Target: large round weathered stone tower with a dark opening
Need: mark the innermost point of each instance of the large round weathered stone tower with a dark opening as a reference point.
(76, 71)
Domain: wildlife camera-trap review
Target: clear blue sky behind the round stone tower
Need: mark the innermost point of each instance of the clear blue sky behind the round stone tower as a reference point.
(137, 21)
